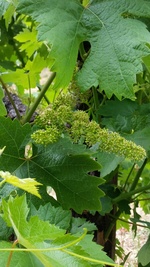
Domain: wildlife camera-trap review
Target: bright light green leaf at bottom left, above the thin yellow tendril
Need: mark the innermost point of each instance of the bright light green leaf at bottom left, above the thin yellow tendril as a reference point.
(32, 231)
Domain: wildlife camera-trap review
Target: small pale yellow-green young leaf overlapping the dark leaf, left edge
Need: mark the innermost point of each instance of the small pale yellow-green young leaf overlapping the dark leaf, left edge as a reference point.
(28, 184)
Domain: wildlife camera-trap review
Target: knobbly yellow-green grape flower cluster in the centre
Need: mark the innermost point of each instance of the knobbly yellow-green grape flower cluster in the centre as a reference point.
(61, 117)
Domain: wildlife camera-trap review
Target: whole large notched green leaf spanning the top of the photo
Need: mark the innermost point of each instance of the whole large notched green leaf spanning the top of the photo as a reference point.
(117, 38)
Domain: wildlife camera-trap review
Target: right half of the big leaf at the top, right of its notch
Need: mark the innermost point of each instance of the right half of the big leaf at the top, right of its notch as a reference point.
(113, 39)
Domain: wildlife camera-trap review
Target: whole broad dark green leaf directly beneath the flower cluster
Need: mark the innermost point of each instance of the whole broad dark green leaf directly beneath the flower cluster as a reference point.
(63, 166)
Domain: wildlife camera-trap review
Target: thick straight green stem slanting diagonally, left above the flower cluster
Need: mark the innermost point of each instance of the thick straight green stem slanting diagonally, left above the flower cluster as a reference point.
(32, 109)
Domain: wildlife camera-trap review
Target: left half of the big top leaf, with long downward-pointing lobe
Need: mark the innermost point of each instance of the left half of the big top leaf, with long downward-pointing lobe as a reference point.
(60, 25)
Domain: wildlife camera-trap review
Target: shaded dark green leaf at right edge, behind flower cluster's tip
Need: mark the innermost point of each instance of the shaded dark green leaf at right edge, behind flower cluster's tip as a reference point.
(132, 121)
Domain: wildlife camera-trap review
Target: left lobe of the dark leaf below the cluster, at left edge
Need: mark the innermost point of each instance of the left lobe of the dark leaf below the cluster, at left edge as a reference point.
(14, 137)
